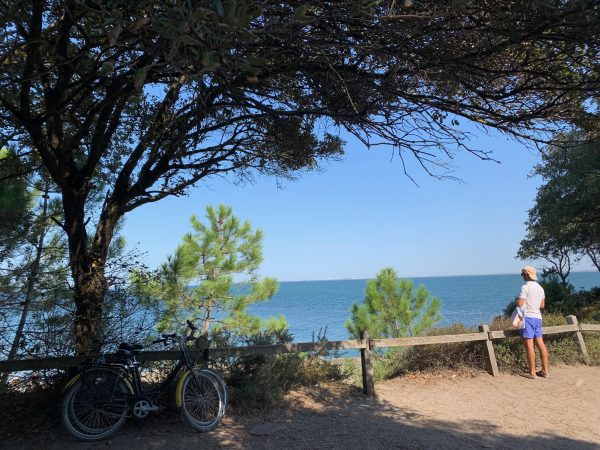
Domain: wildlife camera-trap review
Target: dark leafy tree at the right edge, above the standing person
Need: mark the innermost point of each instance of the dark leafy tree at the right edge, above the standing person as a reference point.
(565, 220)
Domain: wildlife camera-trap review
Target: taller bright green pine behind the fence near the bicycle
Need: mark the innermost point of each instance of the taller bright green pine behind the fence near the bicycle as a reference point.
(212, 278)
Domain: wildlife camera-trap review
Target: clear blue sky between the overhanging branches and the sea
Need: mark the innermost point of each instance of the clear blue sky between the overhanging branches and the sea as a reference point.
(361, 214)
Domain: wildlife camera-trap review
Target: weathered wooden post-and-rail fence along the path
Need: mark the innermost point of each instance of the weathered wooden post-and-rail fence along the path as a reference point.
(365, 344)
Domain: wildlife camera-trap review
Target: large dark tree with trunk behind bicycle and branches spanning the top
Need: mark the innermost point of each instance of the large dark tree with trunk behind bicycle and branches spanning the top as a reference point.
(142, 99)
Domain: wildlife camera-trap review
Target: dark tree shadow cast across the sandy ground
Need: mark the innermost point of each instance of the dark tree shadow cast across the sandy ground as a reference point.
(347, 422)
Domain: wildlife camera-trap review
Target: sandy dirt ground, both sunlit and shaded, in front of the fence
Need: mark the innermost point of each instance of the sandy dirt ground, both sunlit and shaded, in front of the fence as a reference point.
(446, 411)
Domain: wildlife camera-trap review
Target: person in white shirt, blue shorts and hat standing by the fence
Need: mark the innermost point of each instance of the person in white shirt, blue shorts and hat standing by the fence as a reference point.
(532, 297)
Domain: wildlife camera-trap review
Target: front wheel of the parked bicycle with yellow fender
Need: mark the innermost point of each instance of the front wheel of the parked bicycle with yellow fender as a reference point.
(202, 405)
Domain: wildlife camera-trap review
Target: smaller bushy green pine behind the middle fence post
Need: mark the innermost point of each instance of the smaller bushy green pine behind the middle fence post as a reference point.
(393, 309)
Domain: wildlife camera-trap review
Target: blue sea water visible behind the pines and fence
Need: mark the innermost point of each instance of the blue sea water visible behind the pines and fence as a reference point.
(311, 306)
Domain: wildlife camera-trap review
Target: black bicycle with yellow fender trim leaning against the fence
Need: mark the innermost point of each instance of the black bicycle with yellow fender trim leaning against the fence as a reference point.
(97, 402)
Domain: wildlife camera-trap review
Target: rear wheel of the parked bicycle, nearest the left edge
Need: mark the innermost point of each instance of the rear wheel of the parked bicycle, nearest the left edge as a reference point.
(92, 415)
